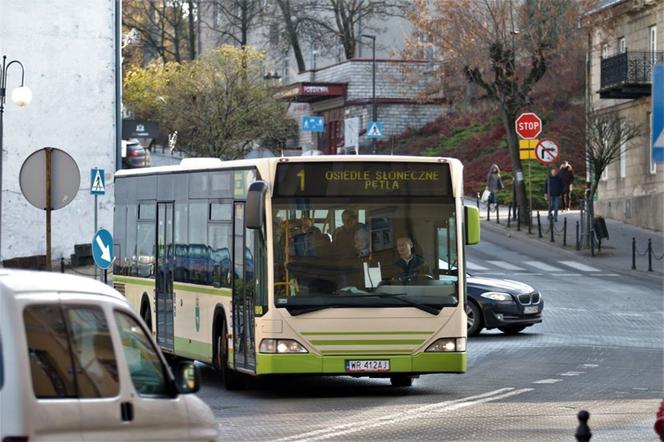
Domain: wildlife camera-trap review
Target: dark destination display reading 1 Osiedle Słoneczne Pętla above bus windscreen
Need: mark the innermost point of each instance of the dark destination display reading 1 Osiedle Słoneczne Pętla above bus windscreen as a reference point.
(358, 179)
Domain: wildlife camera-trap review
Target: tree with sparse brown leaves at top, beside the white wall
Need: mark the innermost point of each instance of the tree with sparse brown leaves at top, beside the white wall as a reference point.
(163, 27)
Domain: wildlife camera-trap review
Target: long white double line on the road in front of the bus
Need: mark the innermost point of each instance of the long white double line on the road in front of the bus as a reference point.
(410, 414)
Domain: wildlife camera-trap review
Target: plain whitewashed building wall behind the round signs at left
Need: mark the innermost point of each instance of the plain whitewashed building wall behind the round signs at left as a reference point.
(69, 54)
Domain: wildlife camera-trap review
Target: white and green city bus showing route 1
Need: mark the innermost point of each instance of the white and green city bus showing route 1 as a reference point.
(291, 265)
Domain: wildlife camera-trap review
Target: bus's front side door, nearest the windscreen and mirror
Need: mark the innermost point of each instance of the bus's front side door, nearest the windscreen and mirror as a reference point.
(244, 351)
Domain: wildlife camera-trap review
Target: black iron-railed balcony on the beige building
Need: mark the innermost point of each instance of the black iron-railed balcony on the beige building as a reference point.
(628, 75)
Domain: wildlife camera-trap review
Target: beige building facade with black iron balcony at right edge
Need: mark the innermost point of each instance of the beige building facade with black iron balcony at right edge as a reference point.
(625, 41)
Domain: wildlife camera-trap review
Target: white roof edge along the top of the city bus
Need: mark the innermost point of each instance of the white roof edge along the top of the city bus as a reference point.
(201, 164)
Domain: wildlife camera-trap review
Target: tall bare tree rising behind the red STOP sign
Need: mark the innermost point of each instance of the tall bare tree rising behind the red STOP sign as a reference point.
(503, 48)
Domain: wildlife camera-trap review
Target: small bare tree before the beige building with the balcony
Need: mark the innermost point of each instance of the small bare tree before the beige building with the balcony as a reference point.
(607, 137)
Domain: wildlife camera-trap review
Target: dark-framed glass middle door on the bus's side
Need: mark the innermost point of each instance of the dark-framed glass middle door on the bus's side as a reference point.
(164, 277)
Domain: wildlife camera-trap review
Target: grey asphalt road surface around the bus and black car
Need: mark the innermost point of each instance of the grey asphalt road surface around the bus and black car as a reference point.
(600, 348)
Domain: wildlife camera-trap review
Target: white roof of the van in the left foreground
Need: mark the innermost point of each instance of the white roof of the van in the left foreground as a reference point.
(13, 282)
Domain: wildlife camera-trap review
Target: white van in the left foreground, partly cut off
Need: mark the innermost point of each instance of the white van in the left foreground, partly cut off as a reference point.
(77, 365)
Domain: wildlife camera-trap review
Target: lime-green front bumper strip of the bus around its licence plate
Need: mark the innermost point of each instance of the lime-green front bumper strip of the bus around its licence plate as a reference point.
(421, 363)
